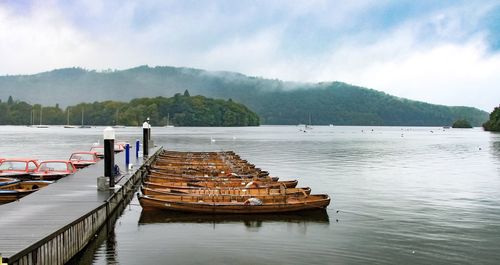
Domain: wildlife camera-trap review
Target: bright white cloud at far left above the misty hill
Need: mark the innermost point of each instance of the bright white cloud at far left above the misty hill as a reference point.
(39, 41)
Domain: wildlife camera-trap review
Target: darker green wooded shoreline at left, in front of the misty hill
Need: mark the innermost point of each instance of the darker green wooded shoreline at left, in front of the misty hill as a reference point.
(179, 110)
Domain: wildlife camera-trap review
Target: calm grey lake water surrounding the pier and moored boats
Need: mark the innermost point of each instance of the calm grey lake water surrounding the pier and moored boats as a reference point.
(403, 195)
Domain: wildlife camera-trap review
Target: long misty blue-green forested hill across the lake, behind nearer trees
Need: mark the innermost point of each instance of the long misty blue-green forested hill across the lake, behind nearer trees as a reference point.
(275, 101)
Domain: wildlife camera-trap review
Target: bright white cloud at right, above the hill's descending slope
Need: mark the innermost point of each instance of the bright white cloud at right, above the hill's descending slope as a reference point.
(446, 74)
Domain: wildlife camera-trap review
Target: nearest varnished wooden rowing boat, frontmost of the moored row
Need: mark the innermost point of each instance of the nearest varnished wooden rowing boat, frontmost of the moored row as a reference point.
(234, 204)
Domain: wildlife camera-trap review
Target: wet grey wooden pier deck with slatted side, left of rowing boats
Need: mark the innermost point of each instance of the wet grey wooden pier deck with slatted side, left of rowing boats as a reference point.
(55, 223)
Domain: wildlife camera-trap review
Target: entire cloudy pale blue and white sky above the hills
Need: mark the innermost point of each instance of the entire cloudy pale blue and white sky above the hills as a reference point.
(442, 52)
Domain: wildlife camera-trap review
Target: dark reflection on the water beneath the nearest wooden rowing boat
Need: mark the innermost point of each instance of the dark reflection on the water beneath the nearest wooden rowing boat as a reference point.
(254, 221)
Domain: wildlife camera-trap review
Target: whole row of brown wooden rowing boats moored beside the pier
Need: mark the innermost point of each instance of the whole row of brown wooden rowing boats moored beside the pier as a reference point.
(222, 183)
